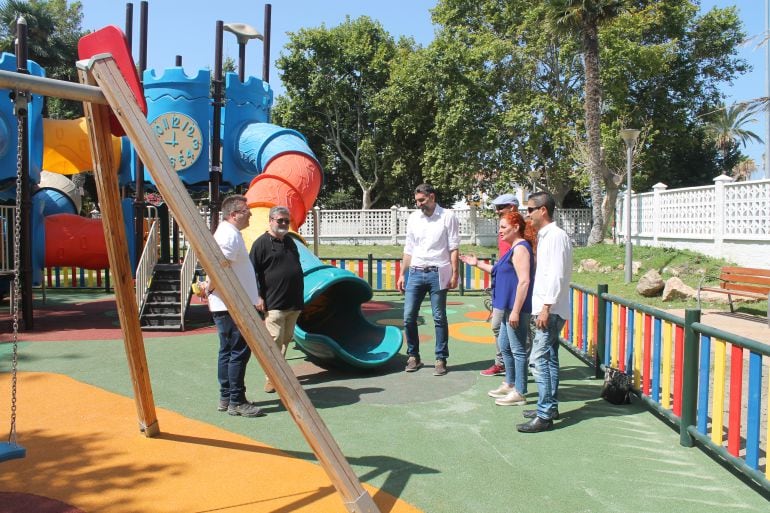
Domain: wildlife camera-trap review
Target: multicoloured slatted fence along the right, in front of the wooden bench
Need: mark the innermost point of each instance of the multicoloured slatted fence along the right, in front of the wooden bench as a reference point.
(706, 381)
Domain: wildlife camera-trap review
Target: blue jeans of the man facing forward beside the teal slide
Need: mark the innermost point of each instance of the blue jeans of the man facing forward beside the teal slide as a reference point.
(418, 284)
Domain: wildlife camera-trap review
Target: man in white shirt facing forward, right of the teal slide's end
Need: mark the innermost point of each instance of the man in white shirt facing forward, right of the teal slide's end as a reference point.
(431, 259)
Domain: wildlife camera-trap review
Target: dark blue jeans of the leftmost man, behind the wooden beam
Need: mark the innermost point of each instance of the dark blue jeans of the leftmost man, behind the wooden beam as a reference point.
(234, 354)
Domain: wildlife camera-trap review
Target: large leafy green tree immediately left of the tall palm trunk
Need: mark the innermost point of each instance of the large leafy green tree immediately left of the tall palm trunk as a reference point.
(504, 99)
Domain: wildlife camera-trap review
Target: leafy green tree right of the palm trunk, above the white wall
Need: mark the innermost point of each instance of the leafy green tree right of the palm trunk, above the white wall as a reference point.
(663, 65)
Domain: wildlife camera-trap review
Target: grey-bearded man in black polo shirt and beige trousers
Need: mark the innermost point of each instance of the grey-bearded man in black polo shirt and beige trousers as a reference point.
(276, 262)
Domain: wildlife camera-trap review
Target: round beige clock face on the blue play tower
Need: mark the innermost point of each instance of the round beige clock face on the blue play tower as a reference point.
(180, 137)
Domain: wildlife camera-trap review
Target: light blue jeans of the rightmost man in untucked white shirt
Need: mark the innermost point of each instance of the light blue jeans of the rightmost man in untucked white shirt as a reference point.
(545, 365)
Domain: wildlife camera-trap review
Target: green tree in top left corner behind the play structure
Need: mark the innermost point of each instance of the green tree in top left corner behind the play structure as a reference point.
(53, 28)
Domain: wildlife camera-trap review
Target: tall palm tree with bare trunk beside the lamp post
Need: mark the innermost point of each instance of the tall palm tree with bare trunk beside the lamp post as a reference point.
(582, 18)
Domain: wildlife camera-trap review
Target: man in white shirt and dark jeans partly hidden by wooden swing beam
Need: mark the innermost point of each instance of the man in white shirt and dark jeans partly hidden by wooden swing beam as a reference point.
(234, 353)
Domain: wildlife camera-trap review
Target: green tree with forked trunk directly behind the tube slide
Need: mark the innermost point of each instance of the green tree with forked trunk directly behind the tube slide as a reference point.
(333, 77)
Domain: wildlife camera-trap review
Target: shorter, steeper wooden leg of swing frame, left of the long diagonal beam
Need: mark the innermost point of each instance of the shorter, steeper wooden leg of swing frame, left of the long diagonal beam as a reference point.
(108, 188)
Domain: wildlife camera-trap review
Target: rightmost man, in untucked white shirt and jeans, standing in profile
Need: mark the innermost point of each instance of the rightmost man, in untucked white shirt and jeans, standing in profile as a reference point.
(550, 307)
